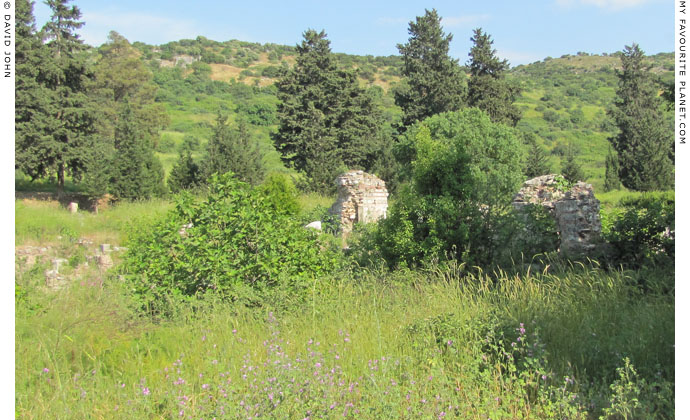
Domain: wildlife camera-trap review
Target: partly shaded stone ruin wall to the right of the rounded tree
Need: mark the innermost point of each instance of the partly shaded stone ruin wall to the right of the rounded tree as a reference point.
(576, 211)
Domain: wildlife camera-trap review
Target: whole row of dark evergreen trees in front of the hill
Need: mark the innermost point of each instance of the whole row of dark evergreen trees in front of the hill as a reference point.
(92, 115)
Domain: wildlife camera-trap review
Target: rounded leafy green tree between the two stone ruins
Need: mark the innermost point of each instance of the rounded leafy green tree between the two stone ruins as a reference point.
(465, 170)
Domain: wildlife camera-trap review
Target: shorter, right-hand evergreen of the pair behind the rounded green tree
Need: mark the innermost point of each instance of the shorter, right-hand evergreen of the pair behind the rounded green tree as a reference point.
(488, 88)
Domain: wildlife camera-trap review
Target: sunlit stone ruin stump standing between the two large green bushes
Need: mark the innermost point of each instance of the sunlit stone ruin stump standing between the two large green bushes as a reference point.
(362, 198)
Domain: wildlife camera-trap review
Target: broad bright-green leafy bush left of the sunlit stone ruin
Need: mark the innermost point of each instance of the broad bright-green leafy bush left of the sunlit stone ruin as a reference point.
(234, 243)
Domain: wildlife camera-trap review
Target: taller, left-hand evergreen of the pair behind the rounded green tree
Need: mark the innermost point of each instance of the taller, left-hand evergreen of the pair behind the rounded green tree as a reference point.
(433, 82)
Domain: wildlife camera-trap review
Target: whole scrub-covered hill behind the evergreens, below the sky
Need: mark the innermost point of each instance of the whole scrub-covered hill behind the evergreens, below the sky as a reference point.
(563, 100)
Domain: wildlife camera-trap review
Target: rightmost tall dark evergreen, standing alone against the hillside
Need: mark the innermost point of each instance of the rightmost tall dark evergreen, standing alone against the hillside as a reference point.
(644, 143)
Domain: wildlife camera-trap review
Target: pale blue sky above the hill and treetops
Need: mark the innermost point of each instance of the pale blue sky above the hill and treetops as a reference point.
(523, 31)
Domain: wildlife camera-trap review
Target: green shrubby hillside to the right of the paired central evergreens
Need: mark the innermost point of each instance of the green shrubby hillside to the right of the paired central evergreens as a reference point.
(564, 85)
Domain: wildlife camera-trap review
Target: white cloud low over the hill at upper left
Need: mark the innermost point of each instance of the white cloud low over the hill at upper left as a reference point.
(135, 27)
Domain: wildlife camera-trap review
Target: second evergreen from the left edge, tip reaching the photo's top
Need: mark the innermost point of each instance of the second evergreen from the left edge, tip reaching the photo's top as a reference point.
(64, 114)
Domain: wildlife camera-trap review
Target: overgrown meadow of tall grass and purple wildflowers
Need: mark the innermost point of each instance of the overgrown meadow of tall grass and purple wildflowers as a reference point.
(550, 339)
